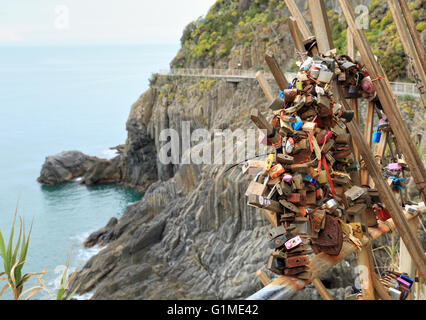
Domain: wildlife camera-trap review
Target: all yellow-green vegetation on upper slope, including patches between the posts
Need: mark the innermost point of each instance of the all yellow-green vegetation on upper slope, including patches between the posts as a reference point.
(232, 26)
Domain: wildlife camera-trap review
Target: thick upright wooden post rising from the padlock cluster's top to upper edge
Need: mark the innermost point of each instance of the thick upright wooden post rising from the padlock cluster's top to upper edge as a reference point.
(321, 26)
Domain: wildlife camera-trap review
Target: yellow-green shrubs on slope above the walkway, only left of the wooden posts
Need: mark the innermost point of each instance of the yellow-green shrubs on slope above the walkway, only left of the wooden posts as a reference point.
(228, 23)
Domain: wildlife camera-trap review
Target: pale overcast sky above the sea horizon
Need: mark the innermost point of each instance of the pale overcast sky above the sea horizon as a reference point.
(67, 22)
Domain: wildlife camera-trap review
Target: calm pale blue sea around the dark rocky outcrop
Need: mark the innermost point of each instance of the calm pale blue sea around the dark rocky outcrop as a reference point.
(54, 99)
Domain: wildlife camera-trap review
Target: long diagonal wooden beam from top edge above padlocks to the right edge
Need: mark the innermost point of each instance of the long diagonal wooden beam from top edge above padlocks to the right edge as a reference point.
(388, 102)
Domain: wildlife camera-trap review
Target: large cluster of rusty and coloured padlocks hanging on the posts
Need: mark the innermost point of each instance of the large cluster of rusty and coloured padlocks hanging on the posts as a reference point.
(306, 184)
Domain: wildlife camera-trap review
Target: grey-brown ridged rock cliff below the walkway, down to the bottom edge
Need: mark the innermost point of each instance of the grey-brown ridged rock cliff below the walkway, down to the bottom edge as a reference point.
(192, 235)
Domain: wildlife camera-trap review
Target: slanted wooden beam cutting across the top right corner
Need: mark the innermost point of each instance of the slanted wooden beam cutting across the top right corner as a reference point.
(410, 49)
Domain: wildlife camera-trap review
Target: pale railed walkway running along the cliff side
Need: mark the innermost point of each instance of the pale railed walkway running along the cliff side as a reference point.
(235, 75)
